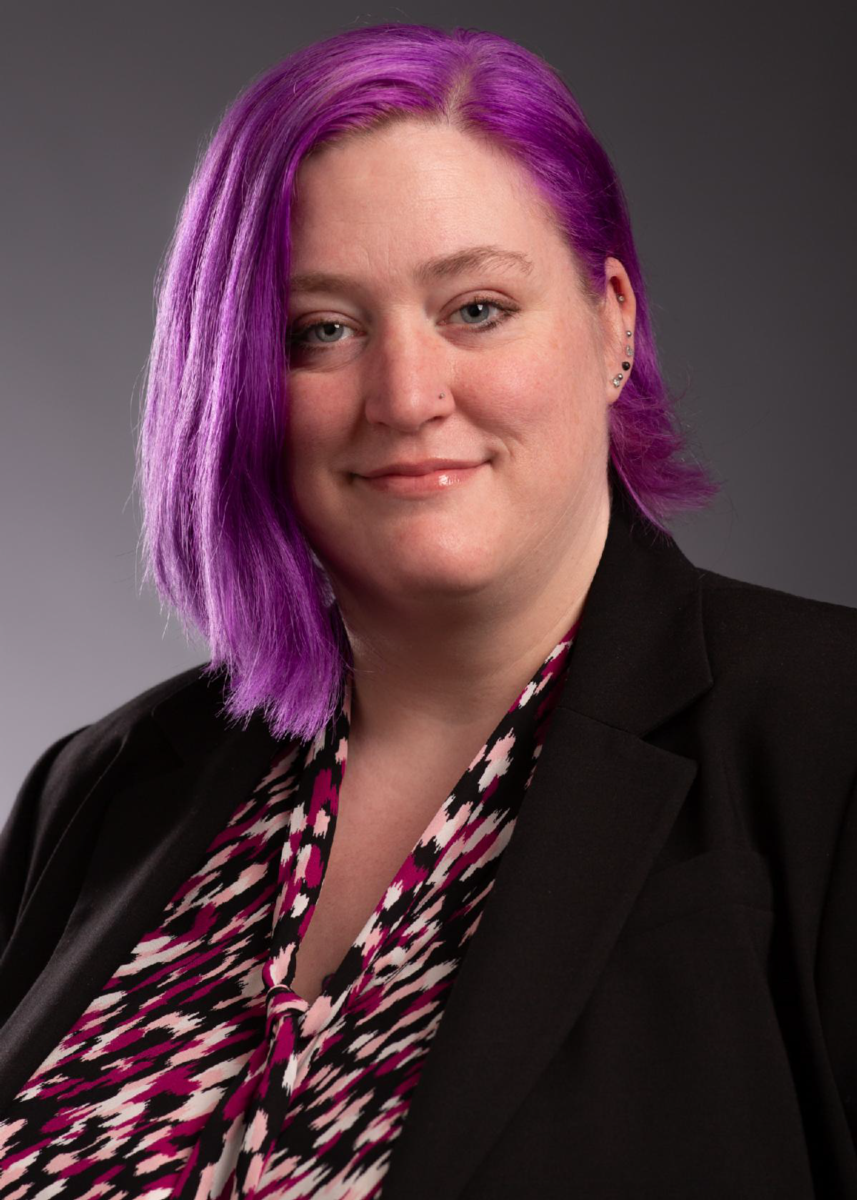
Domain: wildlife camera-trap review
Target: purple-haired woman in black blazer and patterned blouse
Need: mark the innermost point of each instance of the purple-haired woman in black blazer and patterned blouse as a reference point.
(499, 851)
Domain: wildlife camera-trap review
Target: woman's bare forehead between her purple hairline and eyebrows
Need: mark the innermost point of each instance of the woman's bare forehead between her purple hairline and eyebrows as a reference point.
(417, 195)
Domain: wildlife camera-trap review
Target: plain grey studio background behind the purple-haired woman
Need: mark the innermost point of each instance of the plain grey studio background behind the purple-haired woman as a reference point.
(732, 128)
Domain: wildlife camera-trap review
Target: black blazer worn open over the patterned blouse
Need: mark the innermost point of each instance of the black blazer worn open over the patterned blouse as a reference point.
(662, 998)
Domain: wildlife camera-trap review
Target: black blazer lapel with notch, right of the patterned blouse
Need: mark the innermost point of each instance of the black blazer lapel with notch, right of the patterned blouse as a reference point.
(600, 808)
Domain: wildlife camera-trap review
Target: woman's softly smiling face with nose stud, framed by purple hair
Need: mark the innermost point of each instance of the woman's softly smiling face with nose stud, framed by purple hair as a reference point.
(496, 363)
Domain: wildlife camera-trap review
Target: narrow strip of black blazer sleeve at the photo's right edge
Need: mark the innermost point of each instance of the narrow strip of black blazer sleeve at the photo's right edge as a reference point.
(836, 965)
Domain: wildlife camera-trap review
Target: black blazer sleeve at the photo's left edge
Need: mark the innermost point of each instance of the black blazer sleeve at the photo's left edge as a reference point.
(41, 811)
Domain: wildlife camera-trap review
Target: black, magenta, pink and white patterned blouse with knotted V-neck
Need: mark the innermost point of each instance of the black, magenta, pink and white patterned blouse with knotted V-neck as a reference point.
(197, 1073)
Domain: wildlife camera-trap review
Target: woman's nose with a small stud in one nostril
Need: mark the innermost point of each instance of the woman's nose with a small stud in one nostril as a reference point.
(410, 380)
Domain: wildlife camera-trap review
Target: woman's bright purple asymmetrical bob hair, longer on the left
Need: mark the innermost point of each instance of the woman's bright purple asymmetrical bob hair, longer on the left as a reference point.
(219, 533)
